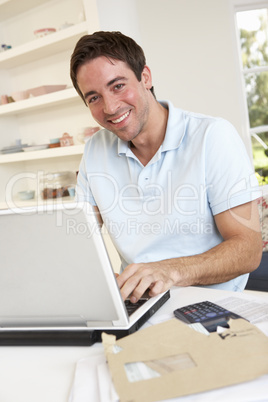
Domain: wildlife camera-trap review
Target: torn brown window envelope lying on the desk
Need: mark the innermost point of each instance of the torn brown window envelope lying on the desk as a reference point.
(178, 361)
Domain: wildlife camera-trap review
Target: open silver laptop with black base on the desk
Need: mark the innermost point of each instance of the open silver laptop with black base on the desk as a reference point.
(57, 285)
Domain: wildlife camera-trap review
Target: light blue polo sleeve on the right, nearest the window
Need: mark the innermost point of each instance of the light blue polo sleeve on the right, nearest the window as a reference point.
(230, 177)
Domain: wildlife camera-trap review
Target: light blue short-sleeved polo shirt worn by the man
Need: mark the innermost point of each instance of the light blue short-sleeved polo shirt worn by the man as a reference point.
(165, 209)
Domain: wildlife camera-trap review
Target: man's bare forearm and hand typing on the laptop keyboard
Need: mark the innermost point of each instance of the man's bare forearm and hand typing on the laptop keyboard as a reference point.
(231, 258)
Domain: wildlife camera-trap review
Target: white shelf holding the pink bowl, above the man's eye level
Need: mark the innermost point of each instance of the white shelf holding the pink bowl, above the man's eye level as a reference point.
(43, 47)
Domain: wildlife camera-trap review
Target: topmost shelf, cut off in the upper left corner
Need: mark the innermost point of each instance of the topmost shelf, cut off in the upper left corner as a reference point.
(11, 8)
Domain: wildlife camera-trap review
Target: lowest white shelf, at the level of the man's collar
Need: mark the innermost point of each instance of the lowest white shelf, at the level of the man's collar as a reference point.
(43, 154)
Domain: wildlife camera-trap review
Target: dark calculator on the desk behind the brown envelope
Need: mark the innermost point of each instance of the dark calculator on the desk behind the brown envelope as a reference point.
(209, 314)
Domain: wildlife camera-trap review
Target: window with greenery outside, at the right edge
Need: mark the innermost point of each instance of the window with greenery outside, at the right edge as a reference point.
(252, 24)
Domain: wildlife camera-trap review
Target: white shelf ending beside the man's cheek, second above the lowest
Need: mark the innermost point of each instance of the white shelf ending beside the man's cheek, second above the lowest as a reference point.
(39, 102)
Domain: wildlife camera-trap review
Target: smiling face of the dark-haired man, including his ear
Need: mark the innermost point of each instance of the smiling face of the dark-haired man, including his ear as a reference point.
(116, 99)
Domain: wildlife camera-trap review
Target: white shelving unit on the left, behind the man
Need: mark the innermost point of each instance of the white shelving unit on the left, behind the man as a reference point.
(33, 62)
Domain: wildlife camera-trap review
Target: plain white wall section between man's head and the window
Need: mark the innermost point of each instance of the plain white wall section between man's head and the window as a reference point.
(191, 49)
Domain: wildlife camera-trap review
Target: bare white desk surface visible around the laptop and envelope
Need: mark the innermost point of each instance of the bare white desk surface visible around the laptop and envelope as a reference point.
(45, 374)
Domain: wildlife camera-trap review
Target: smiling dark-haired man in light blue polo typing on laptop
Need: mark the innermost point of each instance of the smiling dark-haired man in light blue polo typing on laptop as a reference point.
(173, 188)
